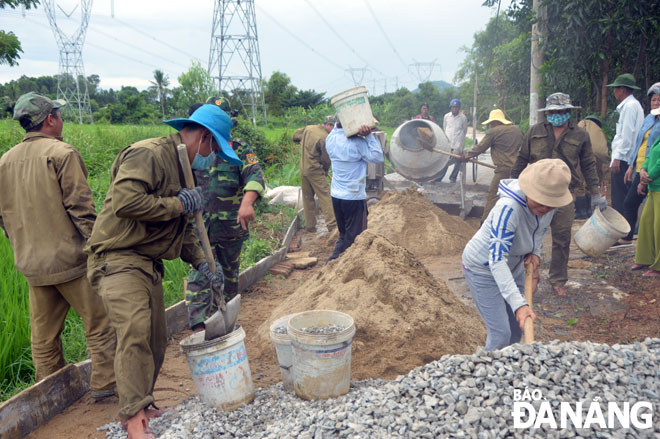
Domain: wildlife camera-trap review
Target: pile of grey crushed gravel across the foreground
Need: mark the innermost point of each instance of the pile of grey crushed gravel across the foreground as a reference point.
(462, 396)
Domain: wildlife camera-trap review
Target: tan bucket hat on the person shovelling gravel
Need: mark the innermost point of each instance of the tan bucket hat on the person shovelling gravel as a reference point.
(546, 182)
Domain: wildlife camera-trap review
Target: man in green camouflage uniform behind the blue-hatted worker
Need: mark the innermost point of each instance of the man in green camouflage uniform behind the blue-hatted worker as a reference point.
(229, 191)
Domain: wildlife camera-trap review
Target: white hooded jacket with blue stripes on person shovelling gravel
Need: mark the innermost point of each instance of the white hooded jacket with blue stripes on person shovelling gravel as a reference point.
(510, 233)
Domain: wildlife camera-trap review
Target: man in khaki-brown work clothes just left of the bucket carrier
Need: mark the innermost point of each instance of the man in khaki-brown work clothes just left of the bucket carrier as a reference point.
(314, 165)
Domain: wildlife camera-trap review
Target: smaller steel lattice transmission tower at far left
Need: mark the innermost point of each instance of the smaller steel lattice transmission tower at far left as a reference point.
(71, 82)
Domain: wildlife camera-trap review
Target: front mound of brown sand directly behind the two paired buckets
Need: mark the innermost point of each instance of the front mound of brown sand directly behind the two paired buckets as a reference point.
(404, 317)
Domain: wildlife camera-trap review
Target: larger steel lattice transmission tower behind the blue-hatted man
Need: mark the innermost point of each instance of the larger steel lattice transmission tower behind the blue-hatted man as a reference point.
(234, 61)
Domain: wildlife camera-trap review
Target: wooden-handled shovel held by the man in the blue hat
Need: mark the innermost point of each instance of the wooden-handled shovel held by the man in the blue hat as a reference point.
(224, 319)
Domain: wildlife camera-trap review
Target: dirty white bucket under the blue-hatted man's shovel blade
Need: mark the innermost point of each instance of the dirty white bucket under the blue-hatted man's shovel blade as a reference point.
(220, 369)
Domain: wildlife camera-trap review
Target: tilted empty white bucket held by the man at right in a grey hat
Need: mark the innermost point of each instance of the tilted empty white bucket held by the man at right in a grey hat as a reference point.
(600, 231)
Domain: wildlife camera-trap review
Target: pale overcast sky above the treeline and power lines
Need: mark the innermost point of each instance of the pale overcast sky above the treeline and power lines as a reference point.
(385, 36)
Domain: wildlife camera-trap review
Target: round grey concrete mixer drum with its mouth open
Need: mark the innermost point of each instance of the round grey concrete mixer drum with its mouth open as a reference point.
(410, 159)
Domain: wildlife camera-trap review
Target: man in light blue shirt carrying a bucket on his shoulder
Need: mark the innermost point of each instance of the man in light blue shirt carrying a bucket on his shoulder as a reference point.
(349, 157)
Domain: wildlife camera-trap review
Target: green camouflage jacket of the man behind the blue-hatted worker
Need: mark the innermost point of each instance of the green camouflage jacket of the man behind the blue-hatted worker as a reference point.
(223, 186)
